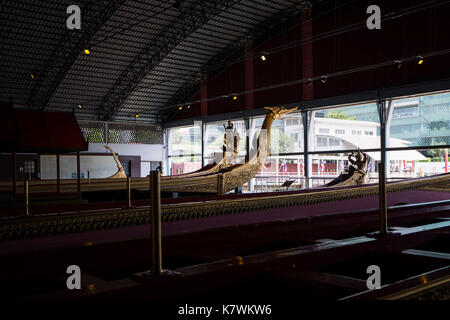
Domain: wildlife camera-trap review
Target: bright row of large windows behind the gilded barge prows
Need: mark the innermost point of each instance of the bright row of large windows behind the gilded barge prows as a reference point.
(419, 126)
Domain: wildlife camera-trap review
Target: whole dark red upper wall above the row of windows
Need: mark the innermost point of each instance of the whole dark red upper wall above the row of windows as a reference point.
(408, 35)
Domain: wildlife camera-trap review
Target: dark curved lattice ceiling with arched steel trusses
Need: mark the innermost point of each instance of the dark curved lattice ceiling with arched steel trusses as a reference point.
(144, 55)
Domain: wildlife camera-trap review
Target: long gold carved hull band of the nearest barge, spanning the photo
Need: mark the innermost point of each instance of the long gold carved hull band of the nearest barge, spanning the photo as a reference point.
(78, 222)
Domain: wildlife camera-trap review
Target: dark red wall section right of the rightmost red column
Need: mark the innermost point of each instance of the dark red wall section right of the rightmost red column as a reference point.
(405, 36)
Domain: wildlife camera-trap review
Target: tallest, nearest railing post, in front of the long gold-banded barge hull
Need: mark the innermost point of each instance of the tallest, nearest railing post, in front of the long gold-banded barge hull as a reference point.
(155, 192)
